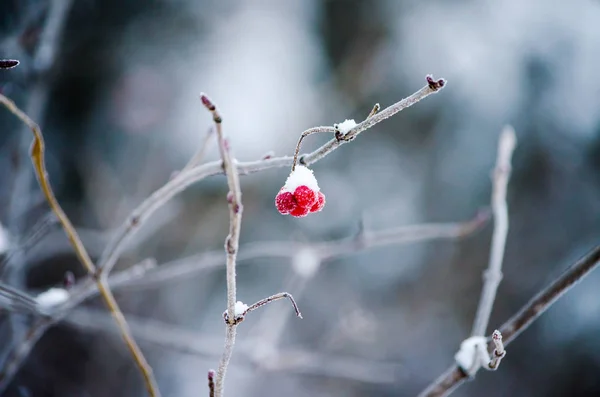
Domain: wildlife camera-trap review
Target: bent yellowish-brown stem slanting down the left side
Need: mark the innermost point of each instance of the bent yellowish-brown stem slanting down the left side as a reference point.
(37, 157)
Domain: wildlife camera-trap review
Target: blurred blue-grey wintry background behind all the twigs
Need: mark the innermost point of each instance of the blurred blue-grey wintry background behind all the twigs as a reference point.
(116, 94)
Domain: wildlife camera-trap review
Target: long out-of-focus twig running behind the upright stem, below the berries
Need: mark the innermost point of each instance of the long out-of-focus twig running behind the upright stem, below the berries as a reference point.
(146, 273)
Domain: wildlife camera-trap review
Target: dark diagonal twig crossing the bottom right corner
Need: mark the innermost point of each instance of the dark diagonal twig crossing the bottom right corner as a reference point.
(531, 311)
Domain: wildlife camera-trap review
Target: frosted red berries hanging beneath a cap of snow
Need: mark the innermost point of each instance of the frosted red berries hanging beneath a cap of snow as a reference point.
(300, 203)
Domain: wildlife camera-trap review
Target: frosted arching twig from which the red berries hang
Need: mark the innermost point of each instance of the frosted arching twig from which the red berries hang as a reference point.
(138, 216)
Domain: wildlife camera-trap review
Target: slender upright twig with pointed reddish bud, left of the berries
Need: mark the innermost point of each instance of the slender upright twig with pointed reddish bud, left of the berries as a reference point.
(234, 197)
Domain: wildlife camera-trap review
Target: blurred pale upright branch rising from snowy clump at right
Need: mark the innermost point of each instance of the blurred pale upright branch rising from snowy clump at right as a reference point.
(493, 274)
